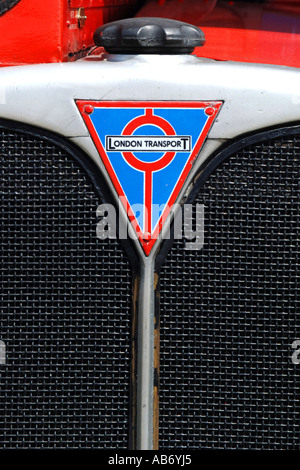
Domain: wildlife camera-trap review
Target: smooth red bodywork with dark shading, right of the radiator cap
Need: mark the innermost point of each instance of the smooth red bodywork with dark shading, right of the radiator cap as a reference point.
(266, 33)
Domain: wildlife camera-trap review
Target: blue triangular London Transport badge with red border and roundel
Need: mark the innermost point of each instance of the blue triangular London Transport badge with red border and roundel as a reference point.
(148, 149)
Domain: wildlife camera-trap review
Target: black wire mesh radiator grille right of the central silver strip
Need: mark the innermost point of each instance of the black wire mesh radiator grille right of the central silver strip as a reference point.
(228, 312)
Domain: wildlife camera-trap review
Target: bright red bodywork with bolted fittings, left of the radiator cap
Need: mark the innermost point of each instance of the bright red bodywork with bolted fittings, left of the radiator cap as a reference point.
(39, 31)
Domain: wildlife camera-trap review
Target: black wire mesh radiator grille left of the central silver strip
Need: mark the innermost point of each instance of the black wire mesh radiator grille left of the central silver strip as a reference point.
(65, 305)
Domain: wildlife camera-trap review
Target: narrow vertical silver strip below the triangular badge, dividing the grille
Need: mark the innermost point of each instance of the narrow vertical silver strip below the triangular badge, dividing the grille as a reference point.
(145, 361)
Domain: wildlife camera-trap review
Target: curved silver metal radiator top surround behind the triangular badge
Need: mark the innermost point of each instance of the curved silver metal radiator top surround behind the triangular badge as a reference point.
(255, 96)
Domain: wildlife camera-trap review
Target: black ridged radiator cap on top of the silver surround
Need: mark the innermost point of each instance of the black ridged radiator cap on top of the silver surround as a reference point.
(149, 36)
